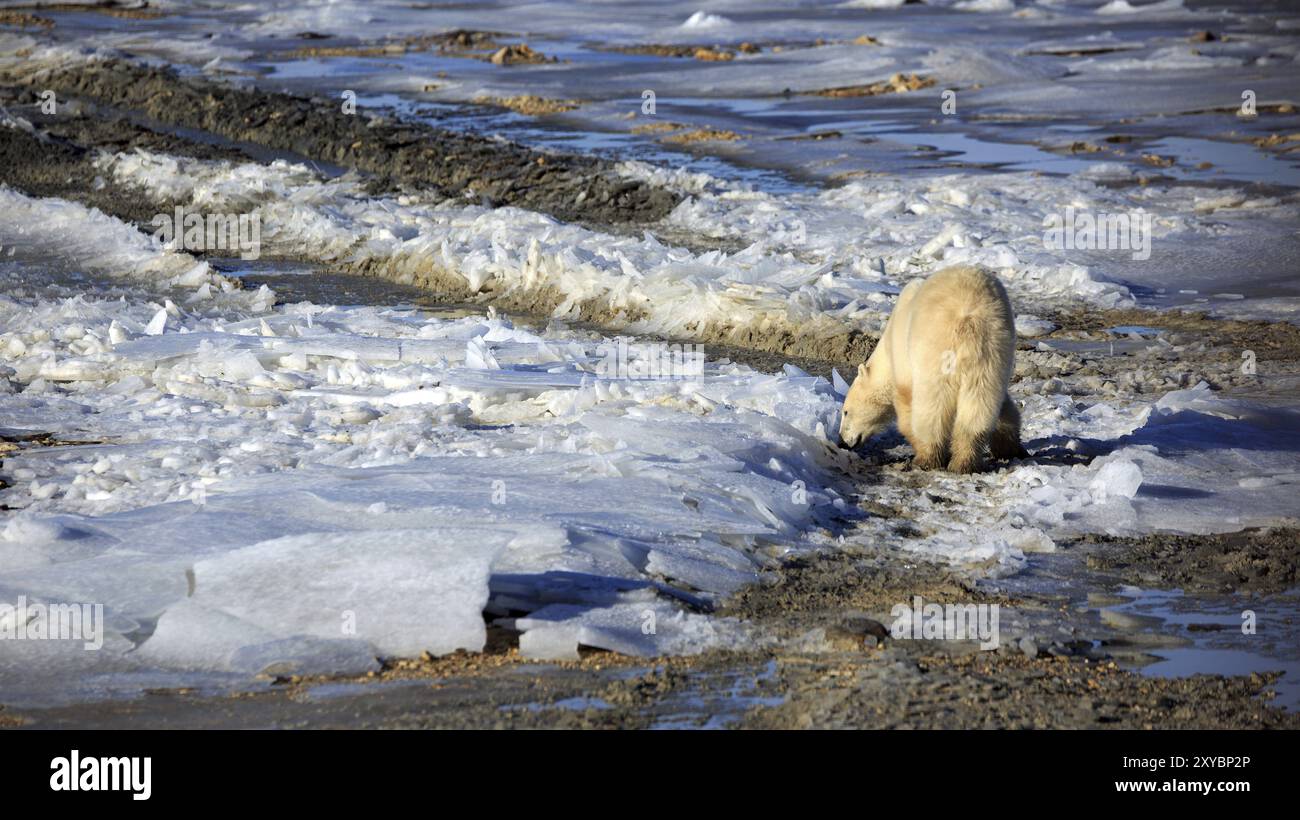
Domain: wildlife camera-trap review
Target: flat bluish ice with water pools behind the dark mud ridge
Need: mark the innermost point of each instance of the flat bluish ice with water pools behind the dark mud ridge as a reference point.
(1033, 79)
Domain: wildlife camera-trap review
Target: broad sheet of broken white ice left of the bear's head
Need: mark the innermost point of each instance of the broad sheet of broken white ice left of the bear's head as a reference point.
(252, 474)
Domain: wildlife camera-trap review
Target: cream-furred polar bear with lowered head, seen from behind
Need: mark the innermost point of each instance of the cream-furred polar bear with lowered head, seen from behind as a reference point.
(941, 370)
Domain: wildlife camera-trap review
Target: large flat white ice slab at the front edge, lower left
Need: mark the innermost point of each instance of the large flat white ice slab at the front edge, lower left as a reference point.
(405, 592)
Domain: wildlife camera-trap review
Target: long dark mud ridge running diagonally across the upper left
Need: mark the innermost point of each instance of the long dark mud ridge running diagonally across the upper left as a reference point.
(398, 154)
